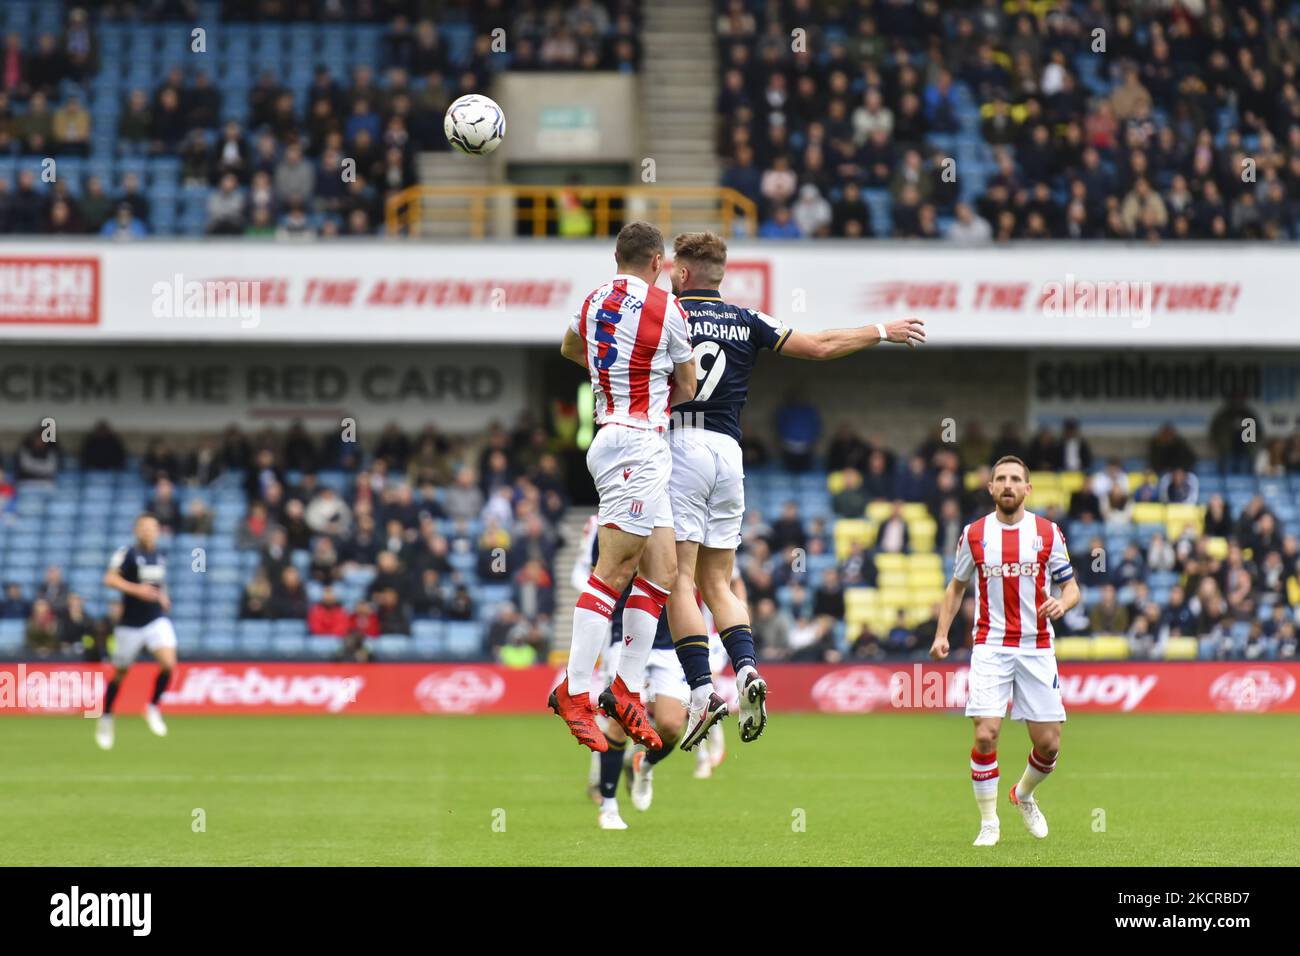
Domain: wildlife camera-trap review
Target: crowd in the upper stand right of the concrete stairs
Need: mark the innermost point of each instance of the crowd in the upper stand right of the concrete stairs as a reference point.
(980, 122)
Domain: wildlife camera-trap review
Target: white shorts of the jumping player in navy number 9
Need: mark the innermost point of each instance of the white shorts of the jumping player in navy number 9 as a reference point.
(708, 488)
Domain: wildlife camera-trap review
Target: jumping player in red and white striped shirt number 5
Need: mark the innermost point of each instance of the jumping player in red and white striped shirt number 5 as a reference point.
(632, 338)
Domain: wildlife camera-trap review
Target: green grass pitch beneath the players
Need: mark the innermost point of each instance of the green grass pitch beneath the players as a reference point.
(890, 789)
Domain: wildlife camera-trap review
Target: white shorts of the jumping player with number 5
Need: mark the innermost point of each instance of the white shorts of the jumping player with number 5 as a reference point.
(631, 469)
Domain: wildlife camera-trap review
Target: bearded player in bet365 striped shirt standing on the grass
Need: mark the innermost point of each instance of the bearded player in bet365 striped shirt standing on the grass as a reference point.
(1015, 557)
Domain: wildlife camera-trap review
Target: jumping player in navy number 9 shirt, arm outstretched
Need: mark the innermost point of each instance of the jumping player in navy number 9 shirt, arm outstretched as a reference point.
(708, 483)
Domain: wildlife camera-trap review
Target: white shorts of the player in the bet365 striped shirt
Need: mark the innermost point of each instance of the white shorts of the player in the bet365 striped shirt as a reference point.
(1028, 682)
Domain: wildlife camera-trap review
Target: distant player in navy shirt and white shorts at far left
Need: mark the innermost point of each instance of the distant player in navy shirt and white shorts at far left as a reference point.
(140, 573)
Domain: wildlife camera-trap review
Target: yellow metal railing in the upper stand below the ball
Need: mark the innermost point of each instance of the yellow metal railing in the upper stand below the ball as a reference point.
(536, 211)
